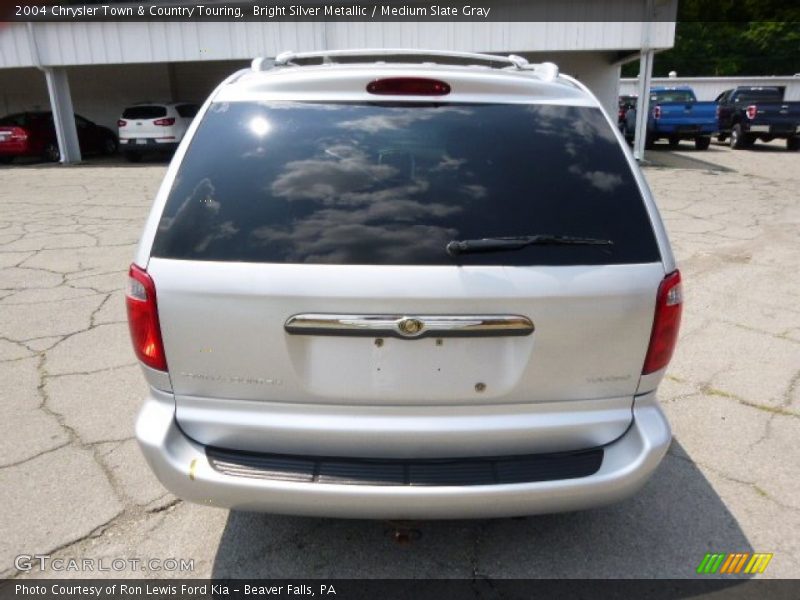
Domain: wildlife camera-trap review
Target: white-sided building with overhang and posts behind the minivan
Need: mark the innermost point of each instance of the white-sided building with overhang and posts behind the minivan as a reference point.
(99, 68)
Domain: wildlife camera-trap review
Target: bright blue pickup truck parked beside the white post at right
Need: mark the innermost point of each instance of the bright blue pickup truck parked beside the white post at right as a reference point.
(675, 115)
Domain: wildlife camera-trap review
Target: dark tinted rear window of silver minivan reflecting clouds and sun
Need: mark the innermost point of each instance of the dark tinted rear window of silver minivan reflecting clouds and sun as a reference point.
(393, 184)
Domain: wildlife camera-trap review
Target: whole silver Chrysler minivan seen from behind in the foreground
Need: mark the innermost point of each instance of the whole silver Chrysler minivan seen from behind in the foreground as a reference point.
(398, 284)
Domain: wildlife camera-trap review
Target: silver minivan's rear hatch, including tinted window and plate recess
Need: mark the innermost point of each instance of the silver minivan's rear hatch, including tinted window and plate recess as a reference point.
(340, 213)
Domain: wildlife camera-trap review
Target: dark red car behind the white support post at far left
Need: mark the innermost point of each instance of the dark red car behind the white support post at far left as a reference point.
(34, 134)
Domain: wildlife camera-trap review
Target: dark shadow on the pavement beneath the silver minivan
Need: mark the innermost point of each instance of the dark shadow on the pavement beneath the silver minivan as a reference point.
(664, 531)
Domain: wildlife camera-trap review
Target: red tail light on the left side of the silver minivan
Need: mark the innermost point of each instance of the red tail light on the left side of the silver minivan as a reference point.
(143, 319)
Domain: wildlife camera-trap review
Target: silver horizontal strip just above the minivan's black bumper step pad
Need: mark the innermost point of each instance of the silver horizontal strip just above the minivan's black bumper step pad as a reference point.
(404, 432)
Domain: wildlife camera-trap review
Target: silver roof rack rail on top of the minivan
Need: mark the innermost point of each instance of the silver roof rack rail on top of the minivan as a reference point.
(546, 71)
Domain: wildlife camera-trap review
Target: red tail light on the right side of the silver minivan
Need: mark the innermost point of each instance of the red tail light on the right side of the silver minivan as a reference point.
(666, 324)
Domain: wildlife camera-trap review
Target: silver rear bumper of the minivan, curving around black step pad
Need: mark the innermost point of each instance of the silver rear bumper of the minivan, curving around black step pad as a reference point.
(183, 467)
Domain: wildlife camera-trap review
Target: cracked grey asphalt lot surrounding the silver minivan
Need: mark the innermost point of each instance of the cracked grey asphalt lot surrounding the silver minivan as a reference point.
(74, 485)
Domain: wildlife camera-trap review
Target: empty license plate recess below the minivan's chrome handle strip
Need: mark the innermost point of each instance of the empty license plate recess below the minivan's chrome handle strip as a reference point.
(386, 370)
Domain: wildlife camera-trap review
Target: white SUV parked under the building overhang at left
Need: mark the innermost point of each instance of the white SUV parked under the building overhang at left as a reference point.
(153, 127)
